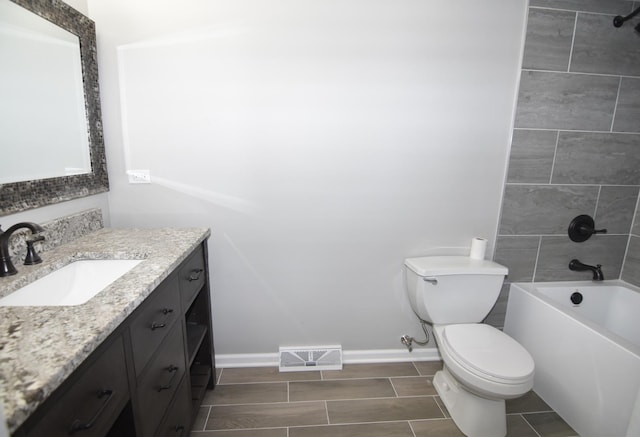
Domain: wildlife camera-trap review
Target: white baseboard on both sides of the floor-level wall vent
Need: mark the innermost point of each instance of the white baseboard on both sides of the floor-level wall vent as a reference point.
(348, 357)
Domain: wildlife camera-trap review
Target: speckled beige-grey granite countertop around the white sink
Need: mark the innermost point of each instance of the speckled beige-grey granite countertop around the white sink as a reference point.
(41, 346)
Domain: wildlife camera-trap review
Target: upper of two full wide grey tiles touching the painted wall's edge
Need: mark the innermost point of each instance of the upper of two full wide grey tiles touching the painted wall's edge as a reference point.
(566, 101)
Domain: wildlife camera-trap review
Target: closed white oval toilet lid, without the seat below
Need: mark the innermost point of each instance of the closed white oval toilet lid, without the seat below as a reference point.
(485, 350)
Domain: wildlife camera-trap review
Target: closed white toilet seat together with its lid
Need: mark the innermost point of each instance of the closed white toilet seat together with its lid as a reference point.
(488, 361)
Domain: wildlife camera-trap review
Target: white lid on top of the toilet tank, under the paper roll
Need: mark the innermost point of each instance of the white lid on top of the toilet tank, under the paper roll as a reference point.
(453, 265)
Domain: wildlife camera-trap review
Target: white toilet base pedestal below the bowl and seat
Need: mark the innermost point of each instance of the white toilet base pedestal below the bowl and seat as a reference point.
(475, 416)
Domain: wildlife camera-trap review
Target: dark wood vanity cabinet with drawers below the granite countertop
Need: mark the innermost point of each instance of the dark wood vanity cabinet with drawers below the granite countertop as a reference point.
(149, 377)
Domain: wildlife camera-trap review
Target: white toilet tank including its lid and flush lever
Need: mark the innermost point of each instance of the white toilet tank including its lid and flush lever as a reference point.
(452, 289)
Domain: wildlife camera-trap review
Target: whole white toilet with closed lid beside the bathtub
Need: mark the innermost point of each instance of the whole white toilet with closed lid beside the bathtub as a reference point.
(482, 365)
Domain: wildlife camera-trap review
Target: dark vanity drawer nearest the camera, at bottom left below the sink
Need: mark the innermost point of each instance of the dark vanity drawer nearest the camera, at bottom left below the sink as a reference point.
(91, 400)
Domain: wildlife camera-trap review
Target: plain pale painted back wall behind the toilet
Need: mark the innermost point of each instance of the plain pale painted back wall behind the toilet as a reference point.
(322, 141)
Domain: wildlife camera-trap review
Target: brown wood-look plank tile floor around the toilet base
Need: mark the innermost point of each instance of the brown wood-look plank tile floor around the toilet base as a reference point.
(362, 400)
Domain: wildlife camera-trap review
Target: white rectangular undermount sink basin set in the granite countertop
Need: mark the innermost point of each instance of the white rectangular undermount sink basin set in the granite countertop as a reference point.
(73, 284)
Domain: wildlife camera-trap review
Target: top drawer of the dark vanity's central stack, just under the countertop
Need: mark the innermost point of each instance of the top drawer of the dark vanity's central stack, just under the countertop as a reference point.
(153, 321)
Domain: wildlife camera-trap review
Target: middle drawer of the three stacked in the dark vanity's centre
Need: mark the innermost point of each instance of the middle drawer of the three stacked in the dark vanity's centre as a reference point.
(160, 381)
